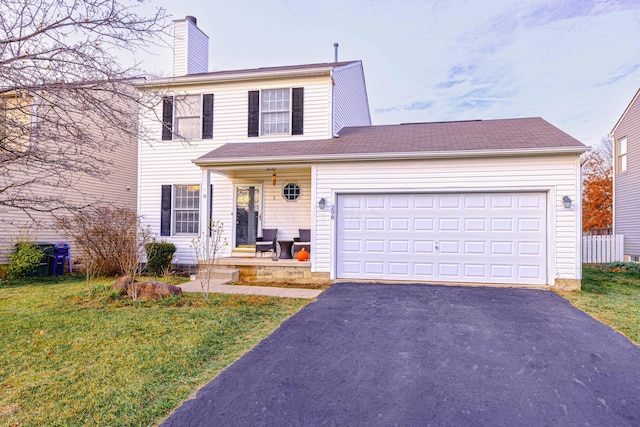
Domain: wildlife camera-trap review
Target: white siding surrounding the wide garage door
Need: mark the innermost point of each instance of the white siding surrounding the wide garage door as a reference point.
(555, 175)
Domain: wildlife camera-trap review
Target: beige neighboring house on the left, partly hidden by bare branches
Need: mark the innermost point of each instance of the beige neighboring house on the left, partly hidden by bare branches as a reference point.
(52, 184)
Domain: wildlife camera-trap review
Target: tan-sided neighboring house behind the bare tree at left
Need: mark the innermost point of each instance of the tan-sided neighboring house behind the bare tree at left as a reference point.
(52, 148)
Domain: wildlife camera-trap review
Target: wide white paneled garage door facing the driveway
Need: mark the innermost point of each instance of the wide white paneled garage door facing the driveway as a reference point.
(484, 237)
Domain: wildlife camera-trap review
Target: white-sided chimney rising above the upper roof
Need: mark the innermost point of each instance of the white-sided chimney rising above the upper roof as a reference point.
(190, 48)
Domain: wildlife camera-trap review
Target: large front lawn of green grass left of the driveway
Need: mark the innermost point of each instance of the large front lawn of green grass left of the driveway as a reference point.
(66, 359)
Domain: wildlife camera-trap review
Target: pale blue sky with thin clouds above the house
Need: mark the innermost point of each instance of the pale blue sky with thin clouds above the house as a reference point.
(575, 63)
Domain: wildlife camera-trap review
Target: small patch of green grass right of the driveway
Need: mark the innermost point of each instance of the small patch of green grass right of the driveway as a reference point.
(613, 297)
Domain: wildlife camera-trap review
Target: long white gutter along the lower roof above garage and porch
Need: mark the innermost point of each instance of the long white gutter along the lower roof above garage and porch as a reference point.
(423, 155)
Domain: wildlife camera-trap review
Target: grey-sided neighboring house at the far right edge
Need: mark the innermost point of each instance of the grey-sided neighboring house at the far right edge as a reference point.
(626, 178)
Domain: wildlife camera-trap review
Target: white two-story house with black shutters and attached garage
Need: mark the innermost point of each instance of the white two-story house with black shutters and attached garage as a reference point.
(475, 201)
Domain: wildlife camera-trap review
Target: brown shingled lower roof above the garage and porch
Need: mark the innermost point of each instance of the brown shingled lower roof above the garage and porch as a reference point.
(411, 140)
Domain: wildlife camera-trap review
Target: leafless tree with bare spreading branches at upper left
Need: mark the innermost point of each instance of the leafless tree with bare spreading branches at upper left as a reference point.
(65, 96)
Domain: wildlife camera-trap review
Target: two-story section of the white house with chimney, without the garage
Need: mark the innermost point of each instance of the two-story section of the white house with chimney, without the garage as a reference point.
(206, 110)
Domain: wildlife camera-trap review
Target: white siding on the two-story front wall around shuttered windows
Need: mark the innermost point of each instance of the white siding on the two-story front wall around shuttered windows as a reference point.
(165, 162)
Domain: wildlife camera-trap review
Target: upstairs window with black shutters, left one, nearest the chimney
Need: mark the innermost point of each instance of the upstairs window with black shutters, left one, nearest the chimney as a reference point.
(187, 116)
